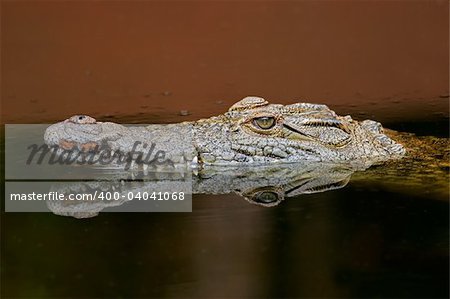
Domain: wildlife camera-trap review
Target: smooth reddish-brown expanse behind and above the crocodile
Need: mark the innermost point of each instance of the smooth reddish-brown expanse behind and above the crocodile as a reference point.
(146, 60)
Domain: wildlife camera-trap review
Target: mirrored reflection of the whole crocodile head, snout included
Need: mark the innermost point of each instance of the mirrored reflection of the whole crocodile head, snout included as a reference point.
(265, 186)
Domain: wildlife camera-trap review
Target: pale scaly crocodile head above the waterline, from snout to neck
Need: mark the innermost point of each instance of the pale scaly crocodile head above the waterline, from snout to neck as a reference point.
(252, 132)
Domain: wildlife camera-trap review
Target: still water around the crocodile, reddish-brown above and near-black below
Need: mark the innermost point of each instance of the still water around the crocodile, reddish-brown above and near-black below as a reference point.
(146, 61)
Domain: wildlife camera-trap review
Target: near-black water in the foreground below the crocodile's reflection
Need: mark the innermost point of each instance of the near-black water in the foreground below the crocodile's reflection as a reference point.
(364, 240)
